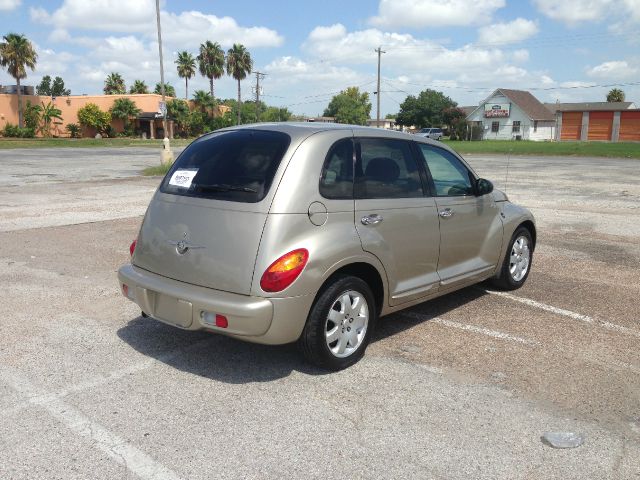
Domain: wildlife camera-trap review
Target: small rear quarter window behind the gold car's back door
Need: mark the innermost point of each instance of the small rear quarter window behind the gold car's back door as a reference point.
(337, 174)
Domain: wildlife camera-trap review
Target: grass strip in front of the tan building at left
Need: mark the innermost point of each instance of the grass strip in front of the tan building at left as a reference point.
(9, 143)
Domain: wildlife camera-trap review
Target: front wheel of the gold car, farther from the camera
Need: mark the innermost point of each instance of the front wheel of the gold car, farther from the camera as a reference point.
(517, 261)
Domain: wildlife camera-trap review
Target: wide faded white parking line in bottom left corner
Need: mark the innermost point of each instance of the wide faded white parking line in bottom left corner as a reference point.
(133, 459)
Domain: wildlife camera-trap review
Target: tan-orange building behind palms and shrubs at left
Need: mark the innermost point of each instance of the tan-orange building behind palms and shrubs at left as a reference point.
(149, 122)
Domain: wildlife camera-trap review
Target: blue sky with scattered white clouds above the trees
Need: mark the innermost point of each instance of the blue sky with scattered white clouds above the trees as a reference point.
(560, 50)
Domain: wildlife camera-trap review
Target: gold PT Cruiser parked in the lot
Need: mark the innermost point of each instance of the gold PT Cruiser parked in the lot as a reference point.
(308, 233)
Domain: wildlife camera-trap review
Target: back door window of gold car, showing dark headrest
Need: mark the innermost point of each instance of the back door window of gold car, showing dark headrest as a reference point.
(386, 168)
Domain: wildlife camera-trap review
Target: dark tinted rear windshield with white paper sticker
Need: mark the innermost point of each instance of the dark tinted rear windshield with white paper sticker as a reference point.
(238, 166)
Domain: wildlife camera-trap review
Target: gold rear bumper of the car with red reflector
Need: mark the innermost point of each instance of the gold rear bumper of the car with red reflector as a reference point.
(190, 307)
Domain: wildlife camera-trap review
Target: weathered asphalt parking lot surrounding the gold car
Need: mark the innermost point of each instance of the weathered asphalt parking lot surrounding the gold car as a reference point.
(462, 387)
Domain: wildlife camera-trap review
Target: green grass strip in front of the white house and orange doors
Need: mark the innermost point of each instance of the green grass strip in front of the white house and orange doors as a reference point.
(524, 147)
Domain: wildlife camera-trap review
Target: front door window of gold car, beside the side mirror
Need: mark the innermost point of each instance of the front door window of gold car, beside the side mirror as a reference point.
(451, 177)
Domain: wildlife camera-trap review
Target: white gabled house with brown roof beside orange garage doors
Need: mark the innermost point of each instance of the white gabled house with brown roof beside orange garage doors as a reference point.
(513, 115)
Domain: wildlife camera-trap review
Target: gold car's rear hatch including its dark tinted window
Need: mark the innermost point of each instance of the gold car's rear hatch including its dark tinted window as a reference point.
(204, 224)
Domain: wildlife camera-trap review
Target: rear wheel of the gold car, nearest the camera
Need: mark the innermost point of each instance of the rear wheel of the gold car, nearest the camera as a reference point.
(340, 324)
